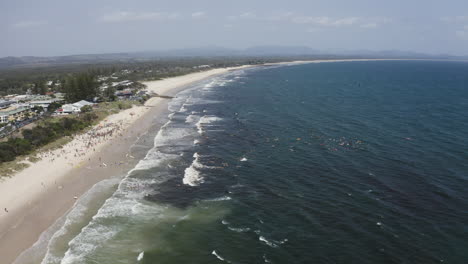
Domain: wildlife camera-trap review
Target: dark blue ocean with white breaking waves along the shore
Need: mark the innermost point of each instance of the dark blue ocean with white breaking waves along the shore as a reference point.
(344, 162)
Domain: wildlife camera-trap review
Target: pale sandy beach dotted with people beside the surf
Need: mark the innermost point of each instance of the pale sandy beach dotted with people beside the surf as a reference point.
(33, 199)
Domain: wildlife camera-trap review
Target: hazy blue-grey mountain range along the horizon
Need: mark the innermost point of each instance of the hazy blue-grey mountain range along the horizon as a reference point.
(258, 51)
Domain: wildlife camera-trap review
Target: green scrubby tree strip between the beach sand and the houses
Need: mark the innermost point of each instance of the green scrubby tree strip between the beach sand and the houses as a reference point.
(43, 134)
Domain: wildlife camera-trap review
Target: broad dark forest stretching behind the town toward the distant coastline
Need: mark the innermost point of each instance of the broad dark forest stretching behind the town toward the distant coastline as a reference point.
(19, 80)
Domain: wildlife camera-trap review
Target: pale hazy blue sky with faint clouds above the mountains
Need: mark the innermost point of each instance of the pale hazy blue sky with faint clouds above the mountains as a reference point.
(61, 27)
